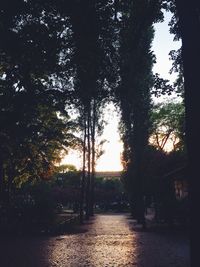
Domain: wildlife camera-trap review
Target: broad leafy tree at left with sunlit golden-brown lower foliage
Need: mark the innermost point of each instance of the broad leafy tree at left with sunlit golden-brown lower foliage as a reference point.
(34, 122)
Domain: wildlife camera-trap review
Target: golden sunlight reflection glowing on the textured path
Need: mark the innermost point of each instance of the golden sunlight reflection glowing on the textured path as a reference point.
(109, 242)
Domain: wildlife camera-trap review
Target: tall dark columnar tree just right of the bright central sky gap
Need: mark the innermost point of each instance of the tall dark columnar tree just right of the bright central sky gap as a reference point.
(133, 93)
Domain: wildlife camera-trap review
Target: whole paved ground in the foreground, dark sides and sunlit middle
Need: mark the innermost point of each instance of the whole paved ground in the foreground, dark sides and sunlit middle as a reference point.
(105, 241)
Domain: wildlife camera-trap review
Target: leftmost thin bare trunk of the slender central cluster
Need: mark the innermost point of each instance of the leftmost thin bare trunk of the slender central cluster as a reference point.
(82, 196)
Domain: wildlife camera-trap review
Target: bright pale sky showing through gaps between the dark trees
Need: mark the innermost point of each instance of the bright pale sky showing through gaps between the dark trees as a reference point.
(111, 159)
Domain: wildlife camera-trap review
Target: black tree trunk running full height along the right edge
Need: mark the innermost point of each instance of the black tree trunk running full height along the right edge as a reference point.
(188, 12)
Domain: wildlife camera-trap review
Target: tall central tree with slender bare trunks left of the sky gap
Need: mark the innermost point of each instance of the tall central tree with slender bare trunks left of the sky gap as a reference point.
(92, 60)
